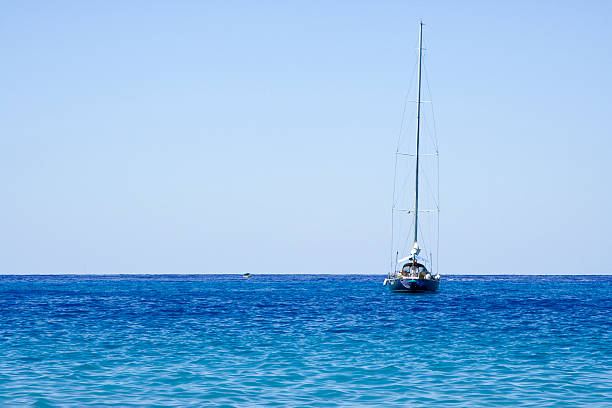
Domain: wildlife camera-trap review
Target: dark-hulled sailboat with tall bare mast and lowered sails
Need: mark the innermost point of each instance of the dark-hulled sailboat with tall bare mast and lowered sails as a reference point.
(413, 273)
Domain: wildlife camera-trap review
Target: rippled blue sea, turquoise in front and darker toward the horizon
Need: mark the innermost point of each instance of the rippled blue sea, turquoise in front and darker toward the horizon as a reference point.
(325, 341)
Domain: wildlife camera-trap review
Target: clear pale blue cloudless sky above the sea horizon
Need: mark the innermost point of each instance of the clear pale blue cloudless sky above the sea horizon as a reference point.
(234, 136)
